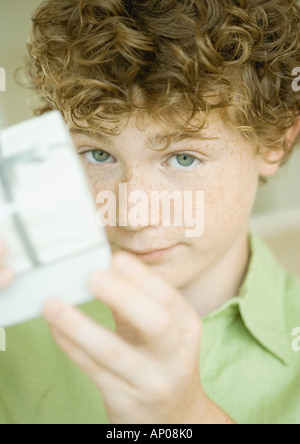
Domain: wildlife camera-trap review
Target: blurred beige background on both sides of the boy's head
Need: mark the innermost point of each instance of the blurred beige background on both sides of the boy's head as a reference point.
(277, 209)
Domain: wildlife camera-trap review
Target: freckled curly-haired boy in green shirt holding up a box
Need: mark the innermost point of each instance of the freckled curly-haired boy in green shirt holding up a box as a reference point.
(169, 95)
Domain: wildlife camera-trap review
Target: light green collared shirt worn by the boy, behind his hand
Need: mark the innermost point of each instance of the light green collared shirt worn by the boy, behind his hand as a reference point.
(248, 366)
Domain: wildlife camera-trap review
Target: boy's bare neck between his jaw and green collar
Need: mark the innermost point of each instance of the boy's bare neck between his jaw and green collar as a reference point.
(222, 281)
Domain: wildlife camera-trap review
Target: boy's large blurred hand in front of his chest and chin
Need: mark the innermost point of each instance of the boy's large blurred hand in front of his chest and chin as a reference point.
(148, 371)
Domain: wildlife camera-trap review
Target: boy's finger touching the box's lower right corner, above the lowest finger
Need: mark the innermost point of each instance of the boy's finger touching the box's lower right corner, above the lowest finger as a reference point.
(149, 318)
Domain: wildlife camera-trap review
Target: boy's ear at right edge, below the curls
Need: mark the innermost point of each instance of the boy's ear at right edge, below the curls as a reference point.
(271, 159)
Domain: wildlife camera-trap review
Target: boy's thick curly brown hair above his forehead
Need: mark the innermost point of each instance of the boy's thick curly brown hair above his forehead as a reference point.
(97, 61)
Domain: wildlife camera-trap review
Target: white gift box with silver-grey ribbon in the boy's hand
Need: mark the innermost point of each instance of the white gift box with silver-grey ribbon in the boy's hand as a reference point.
(48, 219)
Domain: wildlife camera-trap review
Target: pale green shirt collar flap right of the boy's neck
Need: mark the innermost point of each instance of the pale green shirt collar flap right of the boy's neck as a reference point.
(261, 300)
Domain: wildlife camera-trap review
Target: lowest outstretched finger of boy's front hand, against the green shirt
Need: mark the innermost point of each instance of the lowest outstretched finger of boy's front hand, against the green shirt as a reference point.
(100, 344)
